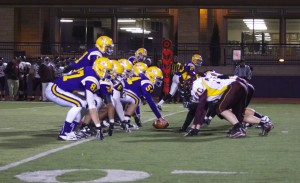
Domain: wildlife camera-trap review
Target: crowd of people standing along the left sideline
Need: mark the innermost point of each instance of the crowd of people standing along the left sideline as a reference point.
(25, 79)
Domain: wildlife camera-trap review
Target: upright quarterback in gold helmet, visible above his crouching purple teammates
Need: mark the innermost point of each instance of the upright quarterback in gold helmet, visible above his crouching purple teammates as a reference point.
(104, 46)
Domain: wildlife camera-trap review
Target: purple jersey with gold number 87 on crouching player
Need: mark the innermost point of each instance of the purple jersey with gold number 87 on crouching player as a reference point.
(80, 80)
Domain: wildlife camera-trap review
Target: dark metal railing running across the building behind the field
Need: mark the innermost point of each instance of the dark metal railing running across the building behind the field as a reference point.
(254, 54)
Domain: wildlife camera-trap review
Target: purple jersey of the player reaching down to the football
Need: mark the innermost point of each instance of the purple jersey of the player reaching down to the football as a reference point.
(141, 86)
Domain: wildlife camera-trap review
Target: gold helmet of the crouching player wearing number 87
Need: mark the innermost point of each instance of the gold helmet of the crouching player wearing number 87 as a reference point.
(103, 67)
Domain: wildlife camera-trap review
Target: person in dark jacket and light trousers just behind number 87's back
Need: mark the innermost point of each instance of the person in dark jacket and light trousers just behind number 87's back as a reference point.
(47, 74)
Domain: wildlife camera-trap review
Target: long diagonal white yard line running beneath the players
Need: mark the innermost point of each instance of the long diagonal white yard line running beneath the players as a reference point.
(32, 158)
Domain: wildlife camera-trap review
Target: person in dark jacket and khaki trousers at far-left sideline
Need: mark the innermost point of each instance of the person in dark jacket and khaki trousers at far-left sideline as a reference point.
(12, 75)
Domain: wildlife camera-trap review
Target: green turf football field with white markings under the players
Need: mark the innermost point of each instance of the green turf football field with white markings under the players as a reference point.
(29, 151)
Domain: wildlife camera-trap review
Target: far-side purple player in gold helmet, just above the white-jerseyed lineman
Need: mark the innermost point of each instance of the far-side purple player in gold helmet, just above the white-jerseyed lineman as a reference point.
(189, 66)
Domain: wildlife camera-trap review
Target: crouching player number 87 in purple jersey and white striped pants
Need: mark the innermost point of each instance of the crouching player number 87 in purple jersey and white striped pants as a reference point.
(61, 91)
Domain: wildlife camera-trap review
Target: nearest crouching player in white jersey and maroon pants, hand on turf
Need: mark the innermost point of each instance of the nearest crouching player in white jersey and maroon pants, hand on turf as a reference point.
(232, 96)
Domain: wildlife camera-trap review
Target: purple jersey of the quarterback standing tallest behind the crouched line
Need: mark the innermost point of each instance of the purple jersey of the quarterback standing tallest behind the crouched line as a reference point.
(87, 59)
